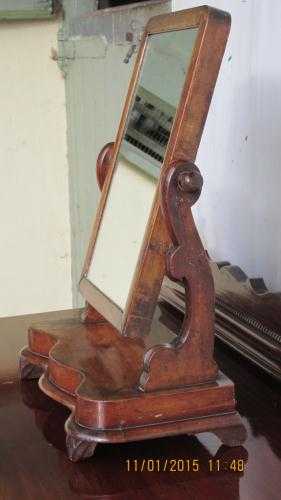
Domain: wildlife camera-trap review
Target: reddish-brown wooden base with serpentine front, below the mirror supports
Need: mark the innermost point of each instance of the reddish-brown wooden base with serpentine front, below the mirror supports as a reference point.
(93, 371)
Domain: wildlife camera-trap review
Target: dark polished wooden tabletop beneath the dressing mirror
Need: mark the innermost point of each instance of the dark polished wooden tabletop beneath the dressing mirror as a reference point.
(33, 464)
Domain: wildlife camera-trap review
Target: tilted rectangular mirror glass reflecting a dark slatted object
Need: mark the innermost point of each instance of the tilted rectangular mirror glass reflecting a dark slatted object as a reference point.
(140, 157)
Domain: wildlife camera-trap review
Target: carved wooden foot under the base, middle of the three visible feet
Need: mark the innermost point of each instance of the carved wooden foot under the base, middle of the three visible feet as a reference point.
(79, 444)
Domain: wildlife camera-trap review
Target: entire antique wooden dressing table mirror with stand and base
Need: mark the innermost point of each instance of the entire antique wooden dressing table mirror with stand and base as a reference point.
(126, 371)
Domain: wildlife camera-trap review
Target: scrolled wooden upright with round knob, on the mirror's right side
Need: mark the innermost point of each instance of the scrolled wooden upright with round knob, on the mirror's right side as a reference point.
(189, 359)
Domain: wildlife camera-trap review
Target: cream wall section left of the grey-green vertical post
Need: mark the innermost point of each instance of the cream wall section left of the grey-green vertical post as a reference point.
(34, 204)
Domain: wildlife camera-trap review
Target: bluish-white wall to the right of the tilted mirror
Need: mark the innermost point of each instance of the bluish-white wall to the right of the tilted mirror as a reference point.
(240, 153)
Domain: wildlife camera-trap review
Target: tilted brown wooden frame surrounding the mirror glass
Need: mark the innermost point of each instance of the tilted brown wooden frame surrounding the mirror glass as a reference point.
(213, 28)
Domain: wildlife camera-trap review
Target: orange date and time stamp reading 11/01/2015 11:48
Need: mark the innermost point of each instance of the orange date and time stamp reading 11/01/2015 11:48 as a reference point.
(185, 465)
